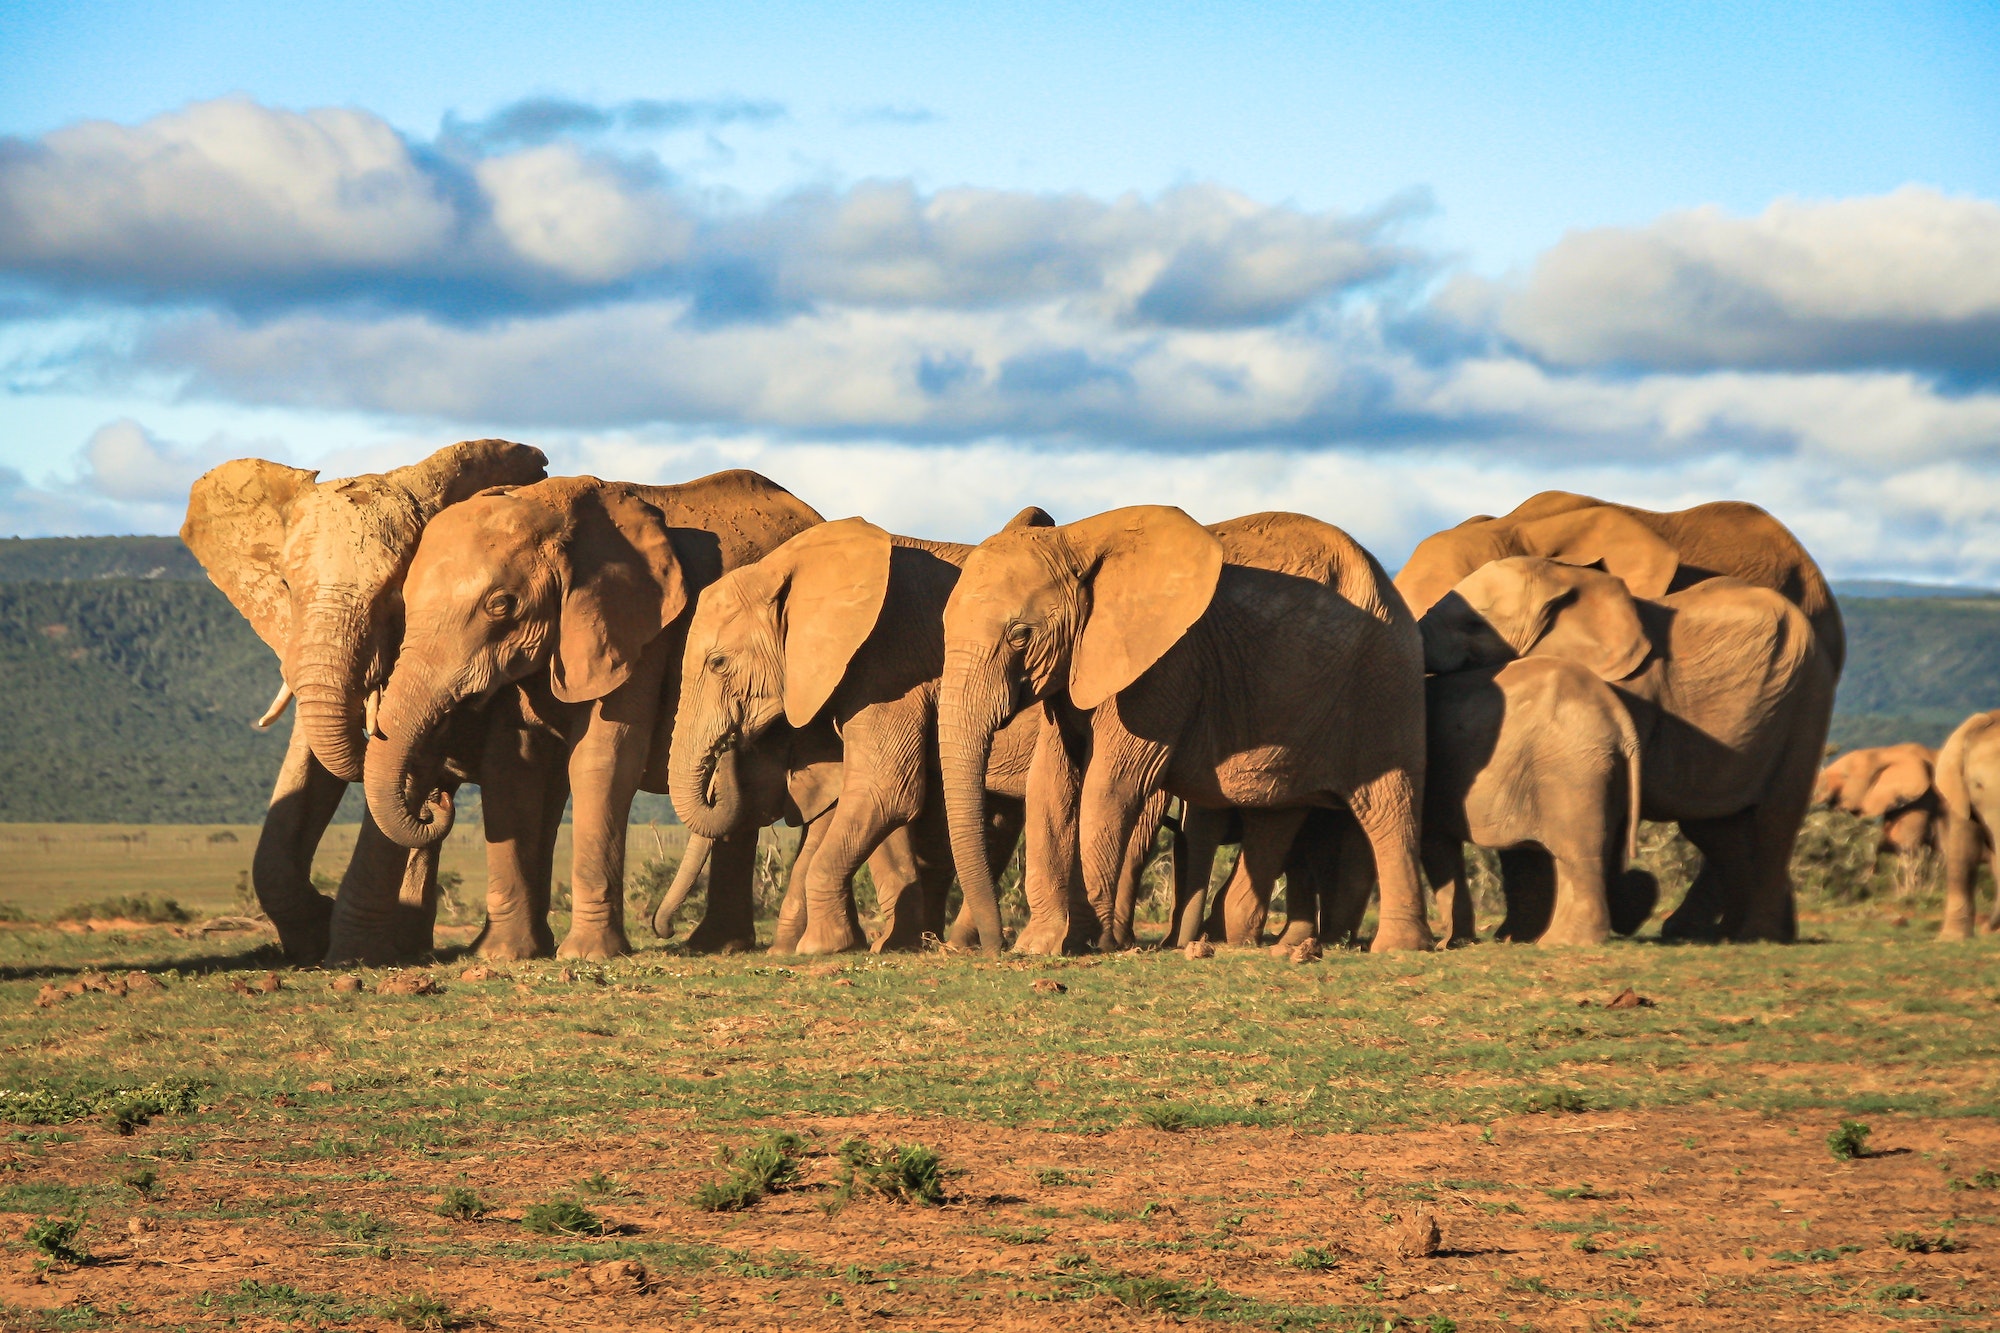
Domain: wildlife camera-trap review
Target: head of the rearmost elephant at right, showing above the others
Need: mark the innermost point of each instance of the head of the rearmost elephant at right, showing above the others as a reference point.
(1593, 533)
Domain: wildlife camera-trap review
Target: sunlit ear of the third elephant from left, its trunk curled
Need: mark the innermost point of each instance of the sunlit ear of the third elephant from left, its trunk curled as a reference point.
(835, 583)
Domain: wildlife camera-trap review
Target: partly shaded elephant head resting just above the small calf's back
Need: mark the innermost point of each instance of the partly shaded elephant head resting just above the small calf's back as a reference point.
(1527, 605)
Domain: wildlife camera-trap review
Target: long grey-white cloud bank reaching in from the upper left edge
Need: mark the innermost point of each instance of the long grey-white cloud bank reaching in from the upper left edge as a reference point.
(255, 207)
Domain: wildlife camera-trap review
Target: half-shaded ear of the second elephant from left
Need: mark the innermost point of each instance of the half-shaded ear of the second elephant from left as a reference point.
(621, 587)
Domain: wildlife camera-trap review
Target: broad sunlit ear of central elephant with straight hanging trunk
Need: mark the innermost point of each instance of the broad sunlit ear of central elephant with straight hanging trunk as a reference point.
(1153, 573)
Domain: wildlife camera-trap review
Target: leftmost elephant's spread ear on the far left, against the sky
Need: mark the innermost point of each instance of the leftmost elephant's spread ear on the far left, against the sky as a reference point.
(237, 525)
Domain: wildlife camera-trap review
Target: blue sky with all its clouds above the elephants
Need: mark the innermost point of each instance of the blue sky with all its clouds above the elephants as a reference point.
(1385, 263)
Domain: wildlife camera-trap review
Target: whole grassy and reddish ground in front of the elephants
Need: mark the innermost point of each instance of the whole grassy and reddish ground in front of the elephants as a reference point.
(1135, 1140)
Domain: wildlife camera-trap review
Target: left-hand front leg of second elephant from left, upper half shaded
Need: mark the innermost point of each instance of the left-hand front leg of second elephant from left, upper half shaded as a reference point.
(515, 798)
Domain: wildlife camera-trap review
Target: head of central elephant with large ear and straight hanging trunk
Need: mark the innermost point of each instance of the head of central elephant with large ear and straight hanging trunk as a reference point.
(1087, 609)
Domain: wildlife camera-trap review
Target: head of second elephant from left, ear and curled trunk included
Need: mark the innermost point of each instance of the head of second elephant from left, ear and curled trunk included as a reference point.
(571, 575)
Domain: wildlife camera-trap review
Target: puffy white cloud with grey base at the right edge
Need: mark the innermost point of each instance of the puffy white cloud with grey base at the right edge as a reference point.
(1905, 279)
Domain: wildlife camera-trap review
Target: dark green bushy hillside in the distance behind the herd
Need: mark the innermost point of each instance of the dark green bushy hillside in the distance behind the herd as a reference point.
(135, 684)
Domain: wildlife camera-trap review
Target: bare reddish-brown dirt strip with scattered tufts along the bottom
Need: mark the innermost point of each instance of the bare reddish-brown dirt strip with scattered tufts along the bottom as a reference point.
(1647, 1220)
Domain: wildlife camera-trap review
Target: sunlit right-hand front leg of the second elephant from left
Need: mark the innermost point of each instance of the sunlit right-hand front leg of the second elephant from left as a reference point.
(605, 772)
